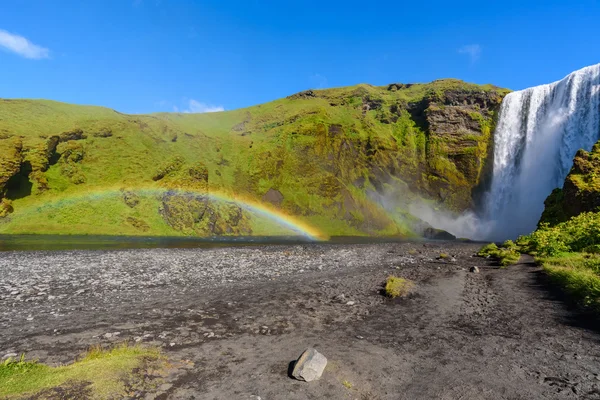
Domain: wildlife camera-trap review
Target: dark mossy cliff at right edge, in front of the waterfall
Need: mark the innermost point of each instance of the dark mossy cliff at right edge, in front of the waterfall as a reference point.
(581, 190)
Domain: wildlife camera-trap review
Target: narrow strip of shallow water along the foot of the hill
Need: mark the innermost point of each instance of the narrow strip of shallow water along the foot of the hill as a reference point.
(73, 242)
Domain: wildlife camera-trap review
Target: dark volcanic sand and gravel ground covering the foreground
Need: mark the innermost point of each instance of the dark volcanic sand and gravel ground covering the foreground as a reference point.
(232, 319)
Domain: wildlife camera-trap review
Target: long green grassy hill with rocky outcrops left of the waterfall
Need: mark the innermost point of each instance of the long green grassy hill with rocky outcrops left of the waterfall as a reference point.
(311, 160)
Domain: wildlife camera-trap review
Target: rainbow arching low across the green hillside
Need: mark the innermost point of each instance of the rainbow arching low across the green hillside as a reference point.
(278, 216)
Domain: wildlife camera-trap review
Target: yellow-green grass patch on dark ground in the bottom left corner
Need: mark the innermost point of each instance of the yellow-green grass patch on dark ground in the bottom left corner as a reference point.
(100, 372)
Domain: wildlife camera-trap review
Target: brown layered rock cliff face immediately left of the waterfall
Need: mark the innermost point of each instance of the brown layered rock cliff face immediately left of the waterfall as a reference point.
(460, 125)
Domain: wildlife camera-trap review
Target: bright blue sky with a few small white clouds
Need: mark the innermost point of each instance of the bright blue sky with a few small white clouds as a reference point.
(163, 55)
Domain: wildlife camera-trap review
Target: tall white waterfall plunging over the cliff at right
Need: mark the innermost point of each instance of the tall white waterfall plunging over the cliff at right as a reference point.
(539, 130)
